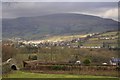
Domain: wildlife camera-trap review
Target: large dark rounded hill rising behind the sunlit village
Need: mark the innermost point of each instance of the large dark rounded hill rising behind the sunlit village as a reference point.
(55, 24)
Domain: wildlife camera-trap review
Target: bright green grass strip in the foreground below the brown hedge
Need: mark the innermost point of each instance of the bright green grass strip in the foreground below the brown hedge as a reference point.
(21, 74)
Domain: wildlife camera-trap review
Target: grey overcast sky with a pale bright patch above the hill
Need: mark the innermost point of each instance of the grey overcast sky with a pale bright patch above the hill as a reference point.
(29, 9)
